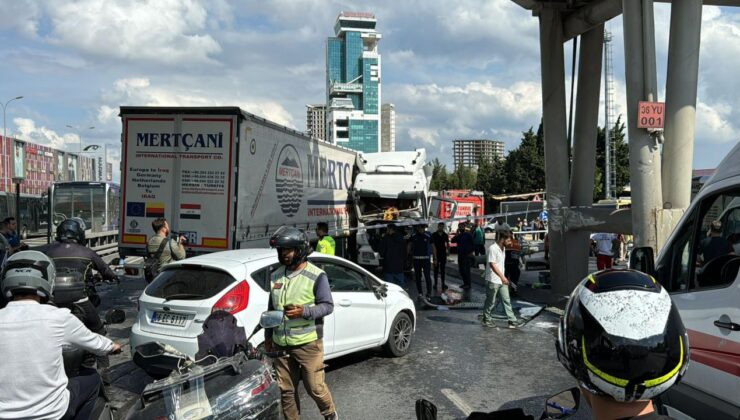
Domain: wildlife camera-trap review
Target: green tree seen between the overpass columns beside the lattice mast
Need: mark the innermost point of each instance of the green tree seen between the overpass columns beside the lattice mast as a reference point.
(622, 160)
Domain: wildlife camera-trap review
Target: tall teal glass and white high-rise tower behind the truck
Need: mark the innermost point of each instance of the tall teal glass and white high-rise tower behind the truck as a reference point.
(353, 83)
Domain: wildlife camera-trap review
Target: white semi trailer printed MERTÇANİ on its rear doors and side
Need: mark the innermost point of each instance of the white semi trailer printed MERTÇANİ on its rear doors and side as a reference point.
(226, 179)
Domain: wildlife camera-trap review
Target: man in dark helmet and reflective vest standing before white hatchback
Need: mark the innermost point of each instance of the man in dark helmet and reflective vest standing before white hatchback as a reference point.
(301, 290)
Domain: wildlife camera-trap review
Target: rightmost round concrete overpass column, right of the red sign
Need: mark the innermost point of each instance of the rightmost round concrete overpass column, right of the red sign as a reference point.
(681, 83)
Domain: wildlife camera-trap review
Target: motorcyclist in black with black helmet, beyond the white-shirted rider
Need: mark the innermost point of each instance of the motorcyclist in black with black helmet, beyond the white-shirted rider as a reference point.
(69, 253)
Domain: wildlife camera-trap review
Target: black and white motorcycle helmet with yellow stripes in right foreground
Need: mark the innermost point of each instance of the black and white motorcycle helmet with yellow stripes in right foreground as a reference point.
(621, 336)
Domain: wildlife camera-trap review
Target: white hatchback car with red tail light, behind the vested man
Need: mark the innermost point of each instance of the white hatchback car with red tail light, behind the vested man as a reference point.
(368, 312)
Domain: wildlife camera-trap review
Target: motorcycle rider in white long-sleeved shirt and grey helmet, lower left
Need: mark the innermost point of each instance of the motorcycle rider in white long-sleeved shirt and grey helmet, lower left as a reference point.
(33, 383)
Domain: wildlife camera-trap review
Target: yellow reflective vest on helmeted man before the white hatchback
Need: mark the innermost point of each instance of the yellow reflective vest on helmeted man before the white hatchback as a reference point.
(296, 290)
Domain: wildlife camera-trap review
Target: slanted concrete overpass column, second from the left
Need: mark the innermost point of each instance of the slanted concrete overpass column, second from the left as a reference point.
(584, 143)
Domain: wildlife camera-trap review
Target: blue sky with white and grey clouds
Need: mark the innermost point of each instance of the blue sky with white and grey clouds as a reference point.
(453, 69)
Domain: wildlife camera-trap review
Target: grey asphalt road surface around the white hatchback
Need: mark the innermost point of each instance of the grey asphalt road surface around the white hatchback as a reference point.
(454, 362)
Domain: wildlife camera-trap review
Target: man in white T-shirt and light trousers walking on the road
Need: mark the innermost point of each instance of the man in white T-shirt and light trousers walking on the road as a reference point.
(496, 282)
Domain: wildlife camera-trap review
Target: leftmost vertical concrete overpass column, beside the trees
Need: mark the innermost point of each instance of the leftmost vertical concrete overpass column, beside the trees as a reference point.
(556, 141)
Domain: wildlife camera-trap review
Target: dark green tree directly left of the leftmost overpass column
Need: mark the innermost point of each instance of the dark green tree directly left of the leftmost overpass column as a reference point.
(525, 165)
